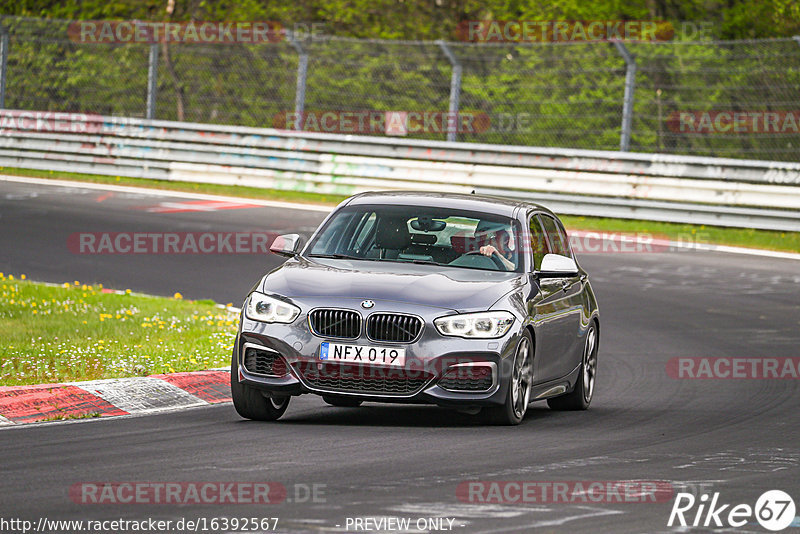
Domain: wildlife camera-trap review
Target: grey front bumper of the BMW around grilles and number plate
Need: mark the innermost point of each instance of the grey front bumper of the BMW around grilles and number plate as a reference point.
(431, 361)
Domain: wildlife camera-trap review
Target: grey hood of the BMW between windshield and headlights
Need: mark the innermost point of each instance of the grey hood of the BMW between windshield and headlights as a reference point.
(450, 288)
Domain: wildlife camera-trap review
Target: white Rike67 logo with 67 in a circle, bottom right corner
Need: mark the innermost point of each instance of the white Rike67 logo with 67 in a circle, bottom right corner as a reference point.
(774, 510)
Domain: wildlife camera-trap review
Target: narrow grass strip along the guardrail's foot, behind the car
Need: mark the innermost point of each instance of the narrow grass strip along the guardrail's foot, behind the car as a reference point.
(743, 237)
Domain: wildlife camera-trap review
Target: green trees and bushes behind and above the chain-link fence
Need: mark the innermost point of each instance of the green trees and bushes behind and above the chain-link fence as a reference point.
(542, 94)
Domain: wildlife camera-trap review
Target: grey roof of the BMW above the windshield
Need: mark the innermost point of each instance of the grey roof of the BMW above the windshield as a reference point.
(479, 203)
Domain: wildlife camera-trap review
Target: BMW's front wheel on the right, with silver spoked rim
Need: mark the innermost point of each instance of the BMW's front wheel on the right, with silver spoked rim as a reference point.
(513, 411)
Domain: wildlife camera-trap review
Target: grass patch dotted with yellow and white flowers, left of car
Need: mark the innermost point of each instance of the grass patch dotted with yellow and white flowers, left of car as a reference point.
(82, 332)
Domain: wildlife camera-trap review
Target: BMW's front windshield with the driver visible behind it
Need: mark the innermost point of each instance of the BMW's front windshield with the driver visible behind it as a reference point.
(420, 234)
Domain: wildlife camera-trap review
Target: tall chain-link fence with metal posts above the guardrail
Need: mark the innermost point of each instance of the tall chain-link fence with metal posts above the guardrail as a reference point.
(725, 98)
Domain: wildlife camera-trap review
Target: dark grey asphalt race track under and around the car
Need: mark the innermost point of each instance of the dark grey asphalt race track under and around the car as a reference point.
(736, 437)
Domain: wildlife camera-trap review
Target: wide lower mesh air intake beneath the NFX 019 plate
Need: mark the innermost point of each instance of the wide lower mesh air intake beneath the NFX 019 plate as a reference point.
(335, 377)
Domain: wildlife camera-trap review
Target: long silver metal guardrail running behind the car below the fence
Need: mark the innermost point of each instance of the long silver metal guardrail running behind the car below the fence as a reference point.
(712, 191)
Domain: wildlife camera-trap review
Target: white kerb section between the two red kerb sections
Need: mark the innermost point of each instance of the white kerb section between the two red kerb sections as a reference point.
(140, 394)
